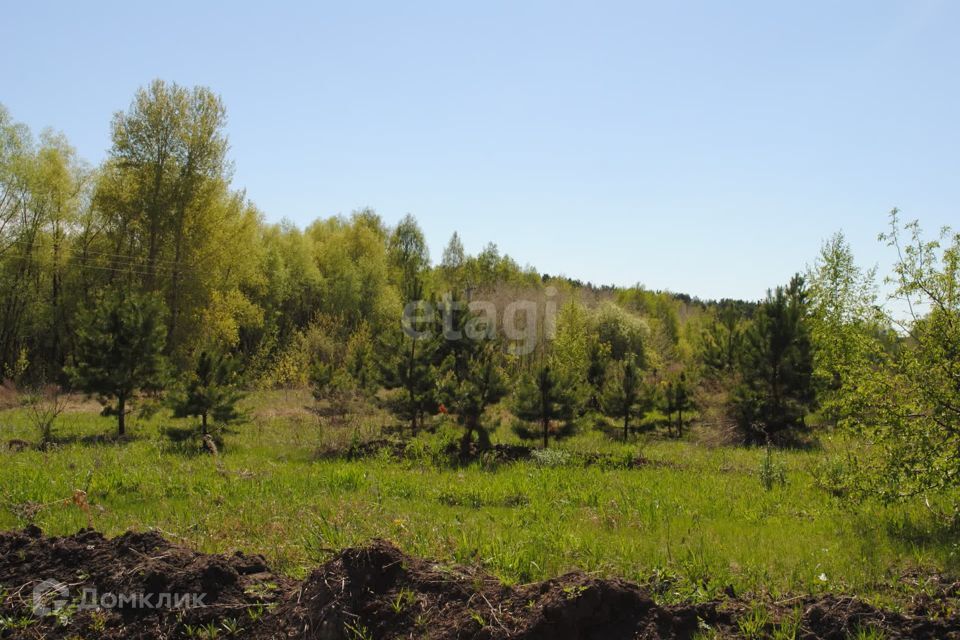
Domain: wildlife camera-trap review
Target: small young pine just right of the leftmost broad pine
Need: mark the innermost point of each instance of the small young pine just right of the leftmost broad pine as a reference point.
(210, 392)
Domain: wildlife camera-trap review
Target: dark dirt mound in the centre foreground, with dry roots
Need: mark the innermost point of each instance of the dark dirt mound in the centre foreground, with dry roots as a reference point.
(380, 592)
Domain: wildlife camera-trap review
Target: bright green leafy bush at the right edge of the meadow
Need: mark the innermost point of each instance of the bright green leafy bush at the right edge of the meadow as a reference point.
(907, 399)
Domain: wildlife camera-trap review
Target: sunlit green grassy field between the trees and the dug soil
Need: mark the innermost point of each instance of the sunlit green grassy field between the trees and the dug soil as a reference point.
(693, 522)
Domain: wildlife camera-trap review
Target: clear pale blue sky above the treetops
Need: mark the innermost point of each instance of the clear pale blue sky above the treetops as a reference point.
(703, 147)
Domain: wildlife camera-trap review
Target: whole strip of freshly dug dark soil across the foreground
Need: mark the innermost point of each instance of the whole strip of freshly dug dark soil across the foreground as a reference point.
(378, 592)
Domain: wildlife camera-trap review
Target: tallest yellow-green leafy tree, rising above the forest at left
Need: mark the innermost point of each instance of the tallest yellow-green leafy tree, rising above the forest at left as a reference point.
(166, 186)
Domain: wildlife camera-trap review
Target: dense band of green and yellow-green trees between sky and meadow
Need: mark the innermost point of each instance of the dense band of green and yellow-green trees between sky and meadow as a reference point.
(152, 275)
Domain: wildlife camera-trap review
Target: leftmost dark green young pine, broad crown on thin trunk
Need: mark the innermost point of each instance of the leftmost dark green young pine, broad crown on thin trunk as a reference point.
(119, 349)
